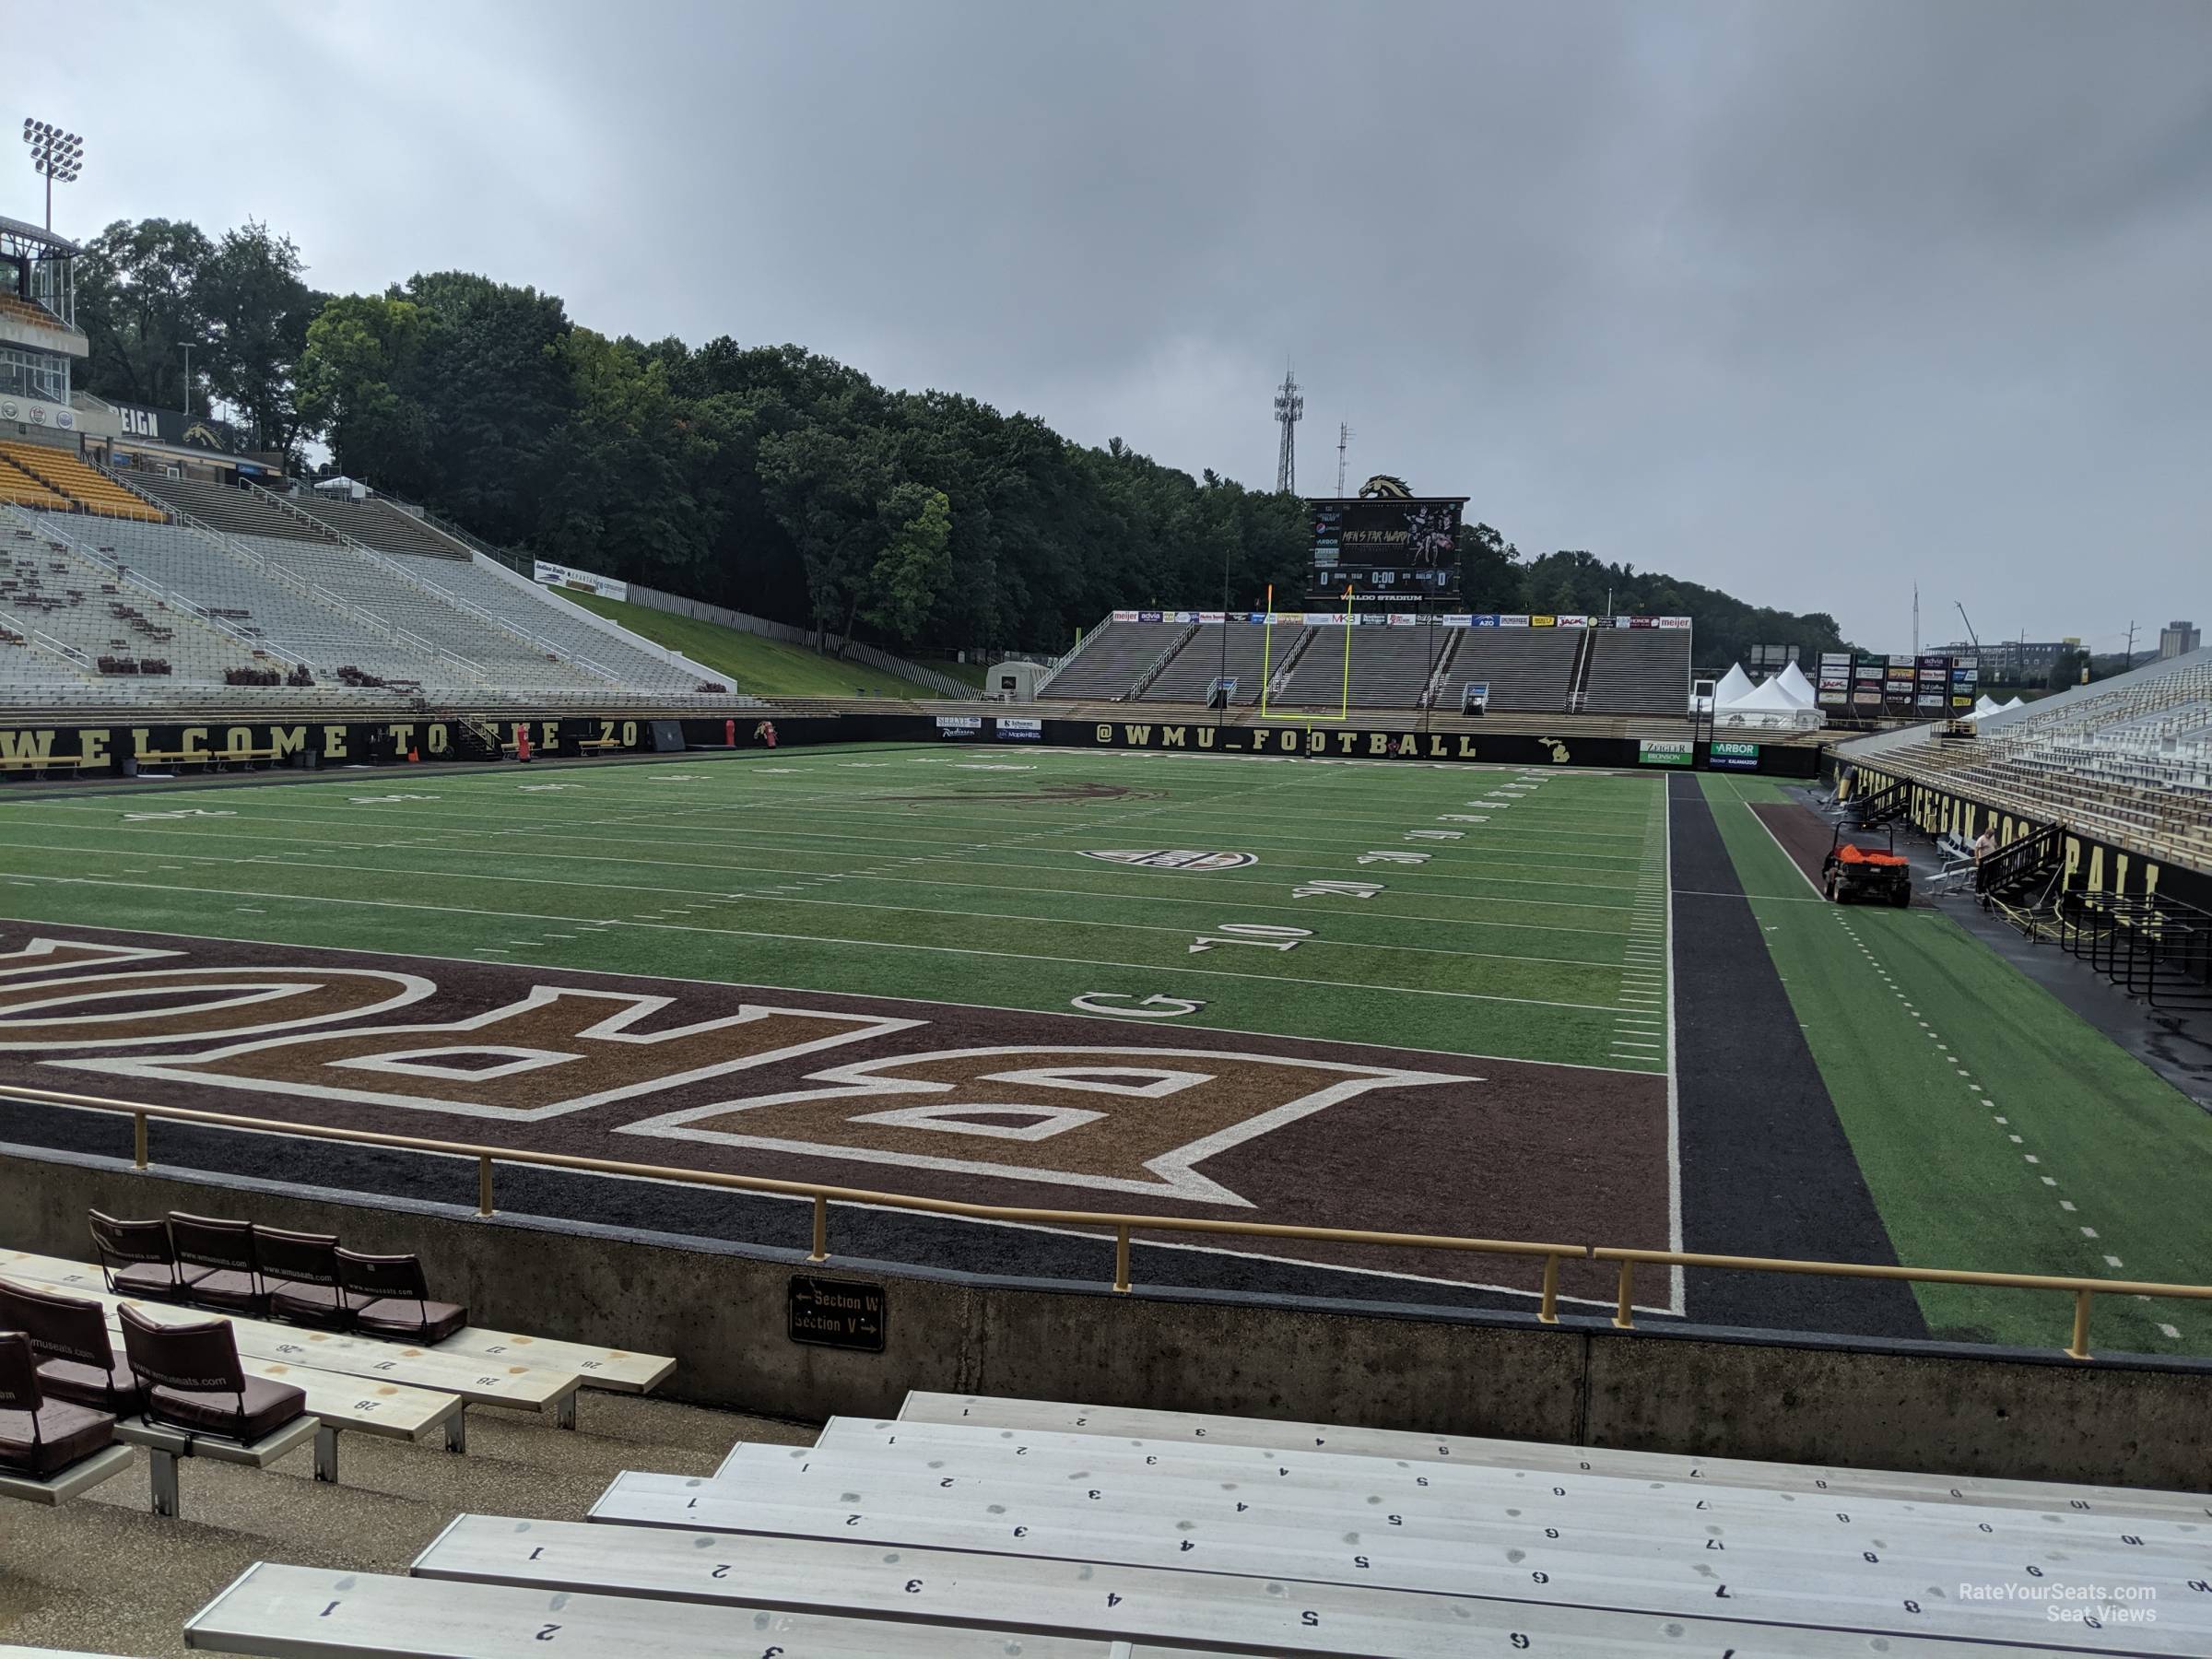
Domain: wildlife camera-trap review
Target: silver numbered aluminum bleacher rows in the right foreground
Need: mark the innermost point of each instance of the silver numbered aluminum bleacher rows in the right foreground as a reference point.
(1047, 1523)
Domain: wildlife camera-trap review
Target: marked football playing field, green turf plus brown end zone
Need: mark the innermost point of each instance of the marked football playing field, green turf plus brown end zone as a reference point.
(1379, 997)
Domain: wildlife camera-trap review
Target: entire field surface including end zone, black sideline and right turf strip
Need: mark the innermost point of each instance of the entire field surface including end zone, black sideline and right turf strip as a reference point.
(1496, 1003)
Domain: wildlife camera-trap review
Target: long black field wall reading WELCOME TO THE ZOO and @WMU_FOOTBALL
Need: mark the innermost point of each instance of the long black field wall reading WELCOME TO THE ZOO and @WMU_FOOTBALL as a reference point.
(121, 751)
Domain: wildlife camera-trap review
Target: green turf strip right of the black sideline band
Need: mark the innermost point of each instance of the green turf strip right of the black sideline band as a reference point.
(1996, 1129)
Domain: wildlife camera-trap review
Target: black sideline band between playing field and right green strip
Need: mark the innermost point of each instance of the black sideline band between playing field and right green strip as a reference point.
(1766, 1169)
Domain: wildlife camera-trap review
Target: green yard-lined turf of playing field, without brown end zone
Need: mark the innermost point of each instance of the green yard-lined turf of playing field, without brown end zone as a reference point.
(822, 870)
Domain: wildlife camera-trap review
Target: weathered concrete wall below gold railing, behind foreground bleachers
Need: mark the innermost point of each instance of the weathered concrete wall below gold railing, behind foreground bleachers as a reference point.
(722, 1313)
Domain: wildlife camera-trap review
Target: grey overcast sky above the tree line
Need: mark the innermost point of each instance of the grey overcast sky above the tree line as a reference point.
(1797, 300)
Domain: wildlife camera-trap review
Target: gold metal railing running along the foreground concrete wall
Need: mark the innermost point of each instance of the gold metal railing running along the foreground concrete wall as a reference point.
(1127, 1227)
